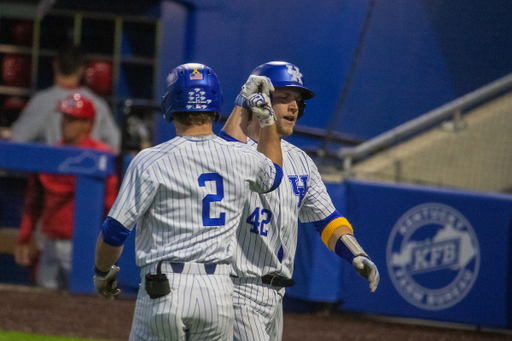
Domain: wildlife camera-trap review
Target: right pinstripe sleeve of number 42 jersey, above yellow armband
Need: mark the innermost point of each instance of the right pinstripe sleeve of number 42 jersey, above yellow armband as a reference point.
(317, 202)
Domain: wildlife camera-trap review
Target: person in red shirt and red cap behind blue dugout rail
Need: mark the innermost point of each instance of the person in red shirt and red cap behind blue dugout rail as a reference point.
(50, 200)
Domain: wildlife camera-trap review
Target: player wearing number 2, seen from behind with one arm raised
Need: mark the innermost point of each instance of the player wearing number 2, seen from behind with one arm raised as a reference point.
(186, 196)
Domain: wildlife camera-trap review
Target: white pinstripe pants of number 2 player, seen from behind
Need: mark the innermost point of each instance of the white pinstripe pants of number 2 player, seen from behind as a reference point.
(199, 307)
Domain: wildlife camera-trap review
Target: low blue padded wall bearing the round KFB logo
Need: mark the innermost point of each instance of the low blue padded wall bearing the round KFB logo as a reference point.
(442, 255)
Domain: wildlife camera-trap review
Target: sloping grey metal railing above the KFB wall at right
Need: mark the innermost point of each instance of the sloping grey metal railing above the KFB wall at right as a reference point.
(452, 110)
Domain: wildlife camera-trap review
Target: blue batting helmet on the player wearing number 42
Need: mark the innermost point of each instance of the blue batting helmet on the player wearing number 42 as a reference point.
(283, 74)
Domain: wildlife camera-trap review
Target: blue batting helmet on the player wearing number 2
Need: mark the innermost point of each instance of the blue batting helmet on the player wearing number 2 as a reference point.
(191, 87)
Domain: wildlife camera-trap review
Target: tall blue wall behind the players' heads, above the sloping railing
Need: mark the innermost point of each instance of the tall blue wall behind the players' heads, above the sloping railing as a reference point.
(415, 56)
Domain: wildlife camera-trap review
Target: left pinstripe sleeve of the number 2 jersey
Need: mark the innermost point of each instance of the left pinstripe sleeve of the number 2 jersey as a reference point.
(136, 194)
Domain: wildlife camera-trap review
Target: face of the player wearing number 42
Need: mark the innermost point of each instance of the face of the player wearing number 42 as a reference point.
(285, 105)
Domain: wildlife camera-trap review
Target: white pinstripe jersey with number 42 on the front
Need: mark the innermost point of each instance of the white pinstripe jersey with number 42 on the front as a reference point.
(270, 221)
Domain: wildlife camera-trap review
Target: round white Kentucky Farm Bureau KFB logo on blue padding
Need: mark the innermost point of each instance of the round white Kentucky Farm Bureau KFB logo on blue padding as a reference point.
(433, 256)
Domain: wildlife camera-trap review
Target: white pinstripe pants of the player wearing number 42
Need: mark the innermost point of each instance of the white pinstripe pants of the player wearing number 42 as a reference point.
(258, 311)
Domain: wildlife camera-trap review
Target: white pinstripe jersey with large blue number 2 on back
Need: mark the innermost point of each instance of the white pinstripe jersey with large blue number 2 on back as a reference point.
(186, 196)
